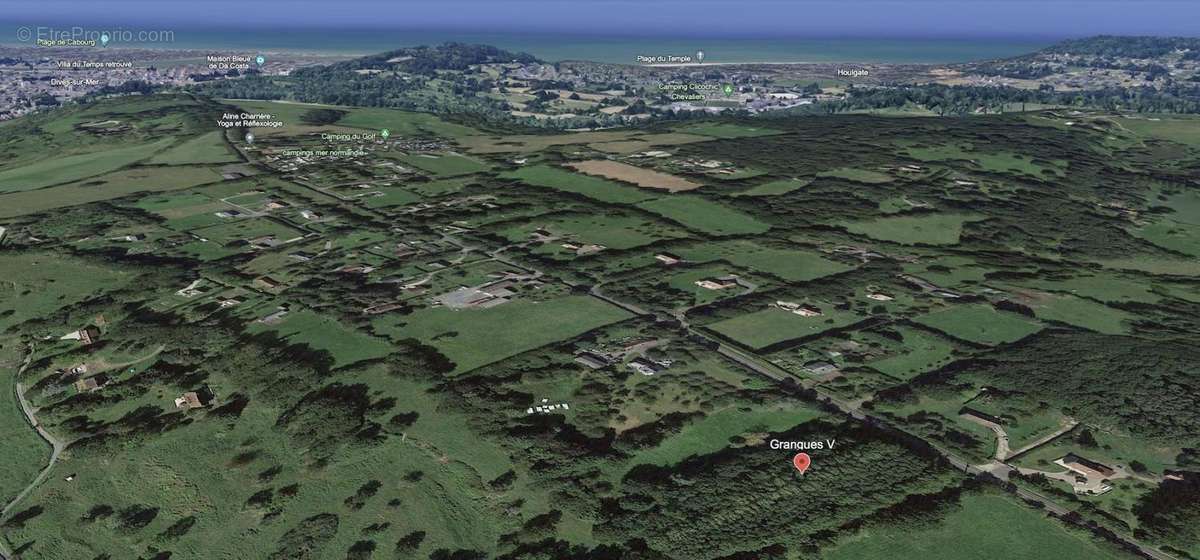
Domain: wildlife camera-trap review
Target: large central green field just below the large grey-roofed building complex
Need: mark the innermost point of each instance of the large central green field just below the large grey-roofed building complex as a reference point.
(476, 338)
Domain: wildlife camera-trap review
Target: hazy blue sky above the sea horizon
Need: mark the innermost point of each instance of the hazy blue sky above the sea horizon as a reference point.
(679, 19)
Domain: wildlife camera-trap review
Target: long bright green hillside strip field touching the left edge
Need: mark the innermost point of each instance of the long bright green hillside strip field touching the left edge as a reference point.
(62, 170)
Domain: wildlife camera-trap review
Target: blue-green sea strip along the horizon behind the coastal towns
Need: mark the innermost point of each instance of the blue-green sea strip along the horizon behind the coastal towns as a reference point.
(556, 47)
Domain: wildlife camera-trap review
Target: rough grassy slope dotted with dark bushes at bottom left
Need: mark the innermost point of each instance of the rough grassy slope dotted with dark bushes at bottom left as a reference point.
(176, 474)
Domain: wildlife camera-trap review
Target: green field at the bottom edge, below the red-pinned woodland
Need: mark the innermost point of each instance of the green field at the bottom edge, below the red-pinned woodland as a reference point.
(982, 526)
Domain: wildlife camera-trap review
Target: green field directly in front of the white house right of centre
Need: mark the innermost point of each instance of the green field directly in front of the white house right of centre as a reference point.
(772, 326)
